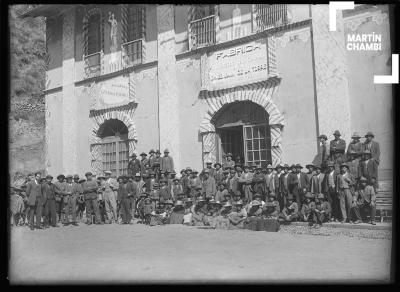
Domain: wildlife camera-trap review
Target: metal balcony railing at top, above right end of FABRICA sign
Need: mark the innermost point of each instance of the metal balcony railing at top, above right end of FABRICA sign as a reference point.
(271, 15)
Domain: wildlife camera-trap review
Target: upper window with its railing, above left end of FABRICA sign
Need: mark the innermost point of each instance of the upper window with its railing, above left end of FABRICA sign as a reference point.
(202, 25)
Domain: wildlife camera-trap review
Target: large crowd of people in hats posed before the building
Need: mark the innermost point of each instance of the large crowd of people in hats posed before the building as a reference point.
(341, 188)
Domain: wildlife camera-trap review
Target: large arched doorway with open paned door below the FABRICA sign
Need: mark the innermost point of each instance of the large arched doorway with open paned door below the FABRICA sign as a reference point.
(242, 128)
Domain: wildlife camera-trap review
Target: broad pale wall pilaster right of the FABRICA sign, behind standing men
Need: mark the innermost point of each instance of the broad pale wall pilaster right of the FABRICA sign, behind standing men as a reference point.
(331, 74)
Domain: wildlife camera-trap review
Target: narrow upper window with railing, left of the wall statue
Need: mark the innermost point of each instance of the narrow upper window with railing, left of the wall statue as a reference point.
(93, 49)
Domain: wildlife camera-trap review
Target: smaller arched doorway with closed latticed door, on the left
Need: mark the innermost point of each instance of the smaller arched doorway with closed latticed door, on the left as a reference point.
(114, 146)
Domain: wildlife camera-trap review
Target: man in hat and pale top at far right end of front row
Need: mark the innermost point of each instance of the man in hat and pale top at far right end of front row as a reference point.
(366, 198)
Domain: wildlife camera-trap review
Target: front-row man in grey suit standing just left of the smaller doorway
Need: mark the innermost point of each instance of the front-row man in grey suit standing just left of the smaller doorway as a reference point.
(90, 188)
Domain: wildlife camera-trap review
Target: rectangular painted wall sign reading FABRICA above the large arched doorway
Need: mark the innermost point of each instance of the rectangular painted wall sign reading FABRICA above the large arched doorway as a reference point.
(239, 65)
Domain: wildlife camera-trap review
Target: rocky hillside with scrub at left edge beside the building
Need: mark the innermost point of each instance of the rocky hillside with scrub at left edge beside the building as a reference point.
(27, 72)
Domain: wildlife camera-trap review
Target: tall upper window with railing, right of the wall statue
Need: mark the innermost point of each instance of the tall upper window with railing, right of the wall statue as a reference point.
(133, 34)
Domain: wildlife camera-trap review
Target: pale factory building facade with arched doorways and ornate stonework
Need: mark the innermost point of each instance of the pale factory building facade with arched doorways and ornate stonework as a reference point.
(259, 81)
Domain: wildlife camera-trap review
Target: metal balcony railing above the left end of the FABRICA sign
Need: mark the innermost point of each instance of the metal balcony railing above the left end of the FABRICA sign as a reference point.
(202, 32)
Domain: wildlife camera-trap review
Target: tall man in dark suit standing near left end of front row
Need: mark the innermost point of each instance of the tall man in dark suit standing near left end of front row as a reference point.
(35, 202)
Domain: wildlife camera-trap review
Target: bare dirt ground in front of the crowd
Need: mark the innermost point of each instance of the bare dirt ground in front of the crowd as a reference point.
(171, 253)
